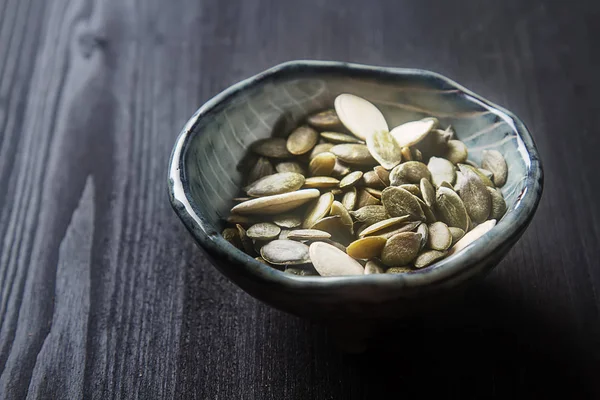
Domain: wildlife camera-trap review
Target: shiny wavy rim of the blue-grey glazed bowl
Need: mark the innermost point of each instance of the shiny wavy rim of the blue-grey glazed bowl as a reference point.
(512, 224)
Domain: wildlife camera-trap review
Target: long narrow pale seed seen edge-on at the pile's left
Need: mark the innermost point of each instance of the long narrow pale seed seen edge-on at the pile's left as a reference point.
(276, 204)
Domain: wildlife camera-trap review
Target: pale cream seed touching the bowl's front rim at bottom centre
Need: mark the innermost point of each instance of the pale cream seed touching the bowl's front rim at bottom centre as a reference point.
(331, 261)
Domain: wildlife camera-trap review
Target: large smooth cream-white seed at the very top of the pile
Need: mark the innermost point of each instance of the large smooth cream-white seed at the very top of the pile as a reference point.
(359, 116)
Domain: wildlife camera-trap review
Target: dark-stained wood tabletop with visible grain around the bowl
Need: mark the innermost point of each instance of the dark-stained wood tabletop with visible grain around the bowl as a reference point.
(102, 292)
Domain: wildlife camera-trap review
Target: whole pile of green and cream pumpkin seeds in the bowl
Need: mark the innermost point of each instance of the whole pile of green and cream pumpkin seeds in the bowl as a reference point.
(346, 195)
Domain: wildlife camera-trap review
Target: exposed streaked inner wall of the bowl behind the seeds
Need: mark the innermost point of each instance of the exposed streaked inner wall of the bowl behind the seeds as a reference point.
(273, 103)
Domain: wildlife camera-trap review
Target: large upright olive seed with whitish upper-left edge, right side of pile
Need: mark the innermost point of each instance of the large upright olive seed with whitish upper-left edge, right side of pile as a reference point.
(474, 195)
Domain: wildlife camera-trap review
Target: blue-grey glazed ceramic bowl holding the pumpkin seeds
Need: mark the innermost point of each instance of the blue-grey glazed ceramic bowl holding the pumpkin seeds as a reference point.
(204, 177)
